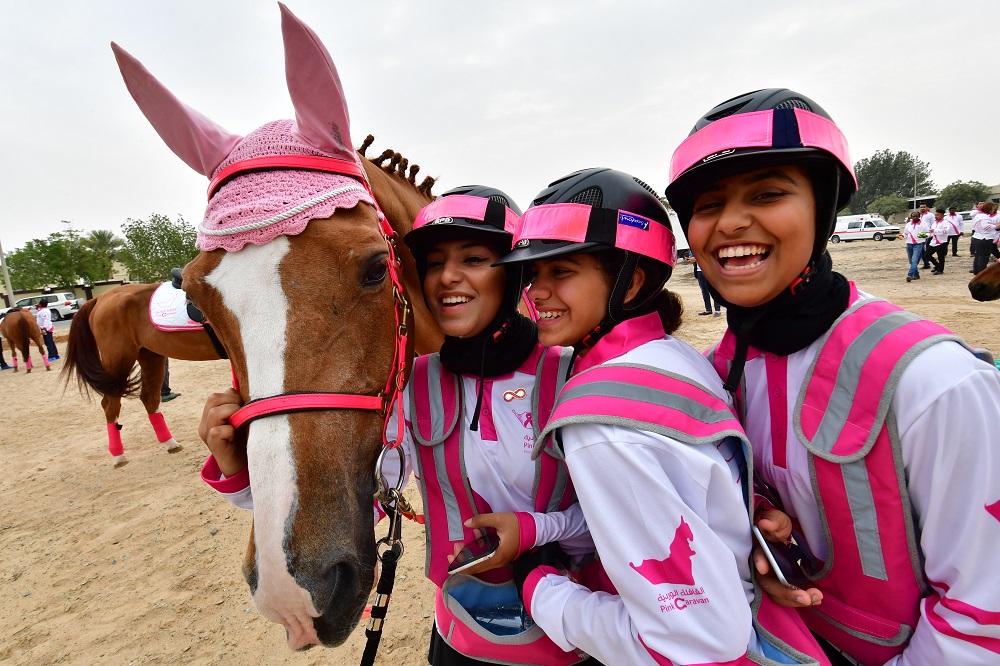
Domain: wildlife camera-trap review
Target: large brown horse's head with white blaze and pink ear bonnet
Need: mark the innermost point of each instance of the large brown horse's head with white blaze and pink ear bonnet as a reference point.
(302, 298)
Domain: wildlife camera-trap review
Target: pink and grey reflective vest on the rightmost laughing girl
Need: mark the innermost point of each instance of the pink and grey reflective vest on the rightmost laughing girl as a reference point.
(873, 579)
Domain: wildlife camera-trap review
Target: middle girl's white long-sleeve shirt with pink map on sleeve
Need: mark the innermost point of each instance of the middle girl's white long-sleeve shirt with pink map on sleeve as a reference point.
(636, 488)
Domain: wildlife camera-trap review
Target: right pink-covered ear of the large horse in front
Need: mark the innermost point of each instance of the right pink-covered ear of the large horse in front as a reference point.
(321, 117)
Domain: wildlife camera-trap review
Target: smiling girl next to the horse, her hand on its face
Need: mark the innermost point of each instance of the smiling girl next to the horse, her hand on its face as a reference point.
(467, 436)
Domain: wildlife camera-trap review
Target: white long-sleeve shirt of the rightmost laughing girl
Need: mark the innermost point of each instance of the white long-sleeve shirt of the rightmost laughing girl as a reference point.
(946, 411)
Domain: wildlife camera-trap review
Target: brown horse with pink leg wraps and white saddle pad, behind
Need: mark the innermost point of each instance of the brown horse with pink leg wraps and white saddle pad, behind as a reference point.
(108, 336)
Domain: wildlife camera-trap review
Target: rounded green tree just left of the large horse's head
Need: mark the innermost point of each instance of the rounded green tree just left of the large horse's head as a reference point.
(155, 245)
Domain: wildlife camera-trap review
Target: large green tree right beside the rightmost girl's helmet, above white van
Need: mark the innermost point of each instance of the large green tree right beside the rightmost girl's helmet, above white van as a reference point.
(886, 172)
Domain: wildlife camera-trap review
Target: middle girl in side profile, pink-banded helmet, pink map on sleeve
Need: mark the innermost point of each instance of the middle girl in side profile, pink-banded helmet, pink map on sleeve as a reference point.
(655, 453)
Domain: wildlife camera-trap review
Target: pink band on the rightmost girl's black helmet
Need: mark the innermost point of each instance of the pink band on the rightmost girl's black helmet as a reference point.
(755, 130)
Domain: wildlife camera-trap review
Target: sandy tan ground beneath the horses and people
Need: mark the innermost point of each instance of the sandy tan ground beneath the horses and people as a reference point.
(141, 565)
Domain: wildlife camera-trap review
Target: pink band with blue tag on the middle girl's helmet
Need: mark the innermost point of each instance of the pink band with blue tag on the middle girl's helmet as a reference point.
(572, 222)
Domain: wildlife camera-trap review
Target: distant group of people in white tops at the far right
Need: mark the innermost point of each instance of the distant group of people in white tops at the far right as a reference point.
(928, 233)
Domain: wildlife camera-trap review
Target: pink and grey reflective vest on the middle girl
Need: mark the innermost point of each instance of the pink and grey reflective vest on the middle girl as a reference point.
(657, 401)
